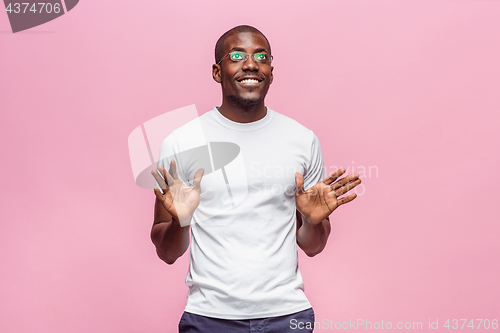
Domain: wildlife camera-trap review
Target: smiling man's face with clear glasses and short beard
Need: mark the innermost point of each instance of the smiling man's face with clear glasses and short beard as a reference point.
(245, 83)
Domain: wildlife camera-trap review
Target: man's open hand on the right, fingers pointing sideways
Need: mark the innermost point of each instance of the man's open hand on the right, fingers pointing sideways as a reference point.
(318, 202)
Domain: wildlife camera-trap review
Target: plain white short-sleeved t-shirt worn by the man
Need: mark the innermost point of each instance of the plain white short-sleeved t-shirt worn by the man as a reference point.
(243, 256)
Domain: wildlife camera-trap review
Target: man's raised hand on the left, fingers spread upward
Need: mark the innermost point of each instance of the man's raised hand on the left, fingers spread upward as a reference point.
(178, 199)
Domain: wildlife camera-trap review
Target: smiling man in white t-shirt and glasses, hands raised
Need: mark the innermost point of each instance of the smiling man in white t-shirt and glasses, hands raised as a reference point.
(246, 221)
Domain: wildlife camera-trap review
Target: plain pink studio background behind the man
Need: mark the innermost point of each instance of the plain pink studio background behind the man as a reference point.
(410, 88)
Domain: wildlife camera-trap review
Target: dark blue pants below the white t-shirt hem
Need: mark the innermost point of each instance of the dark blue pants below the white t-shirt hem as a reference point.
(299, 322)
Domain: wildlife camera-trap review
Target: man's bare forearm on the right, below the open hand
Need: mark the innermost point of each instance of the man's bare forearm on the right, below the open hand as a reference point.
(312, 238)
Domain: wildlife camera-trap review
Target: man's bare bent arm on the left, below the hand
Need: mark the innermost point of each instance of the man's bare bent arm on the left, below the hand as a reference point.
(170, 239)
